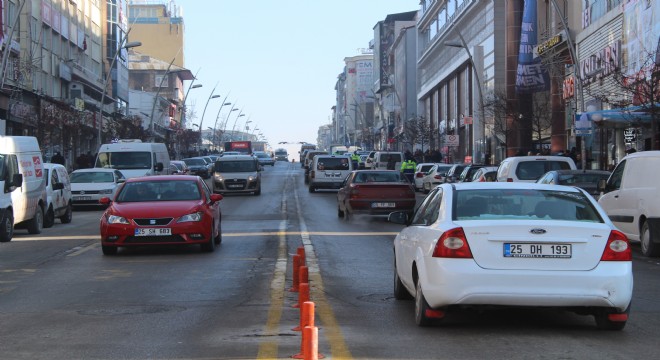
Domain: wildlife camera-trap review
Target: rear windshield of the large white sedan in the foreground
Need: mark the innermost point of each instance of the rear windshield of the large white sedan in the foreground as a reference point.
(523, 204)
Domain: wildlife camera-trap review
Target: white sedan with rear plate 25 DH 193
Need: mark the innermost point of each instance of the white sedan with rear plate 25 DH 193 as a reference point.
(512, 244)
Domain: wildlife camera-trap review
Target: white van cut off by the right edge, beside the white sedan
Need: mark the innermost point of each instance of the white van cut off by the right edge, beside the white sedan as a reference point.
(630, 199)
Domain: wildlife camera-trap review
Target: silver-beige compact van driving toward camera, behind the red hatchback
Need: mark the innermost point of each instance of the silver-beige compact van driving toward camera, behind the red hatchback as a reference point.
(237, 174)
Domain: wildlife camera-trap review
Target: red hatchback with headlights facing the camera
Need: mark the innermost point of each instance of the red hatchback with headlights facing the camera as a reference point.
(165, 210)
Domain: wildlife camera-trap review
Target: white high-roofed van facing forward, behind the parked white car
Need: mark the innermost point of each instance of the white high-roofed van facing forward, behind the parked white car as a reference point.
(134, 158)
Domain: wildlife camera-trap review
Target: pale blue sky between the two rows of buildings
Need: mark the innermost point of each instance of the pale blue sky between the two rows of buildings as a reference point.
(276, 61)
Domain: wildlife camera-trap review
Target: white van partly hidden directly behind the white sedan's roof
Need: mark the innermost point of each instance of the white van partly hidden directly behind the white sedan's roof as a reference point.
(531, 168)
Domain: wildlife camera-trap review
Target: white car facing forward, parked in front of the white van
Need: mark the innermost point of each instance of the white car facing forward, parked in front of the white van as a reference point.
(88, 186)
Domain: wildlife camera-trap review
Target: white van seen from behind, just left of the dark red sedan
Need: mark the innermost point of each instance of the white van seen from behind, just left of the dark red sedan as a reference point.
(329, 171)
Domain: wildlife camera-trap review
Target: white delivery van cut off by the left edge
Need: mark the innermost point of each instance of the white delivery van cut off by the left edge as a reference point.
(24, 201)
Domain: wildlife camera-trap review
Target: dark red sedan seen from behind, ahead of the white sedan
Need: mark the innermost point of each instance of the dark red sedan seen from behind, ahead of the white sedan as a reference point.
(375, 192)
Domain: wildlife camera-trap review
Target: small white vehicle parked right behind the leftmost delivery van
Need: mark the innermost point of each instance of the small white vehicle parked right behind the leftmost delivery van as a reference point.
(58, 195)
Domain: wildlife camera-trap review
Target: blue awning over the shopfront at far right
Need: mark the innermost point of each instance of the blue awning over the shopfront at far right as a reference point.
(622, 117)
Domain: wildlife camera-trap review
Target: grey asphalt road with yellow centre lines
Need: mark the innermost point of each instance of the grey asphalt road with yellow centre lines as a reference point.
(60, 298)
